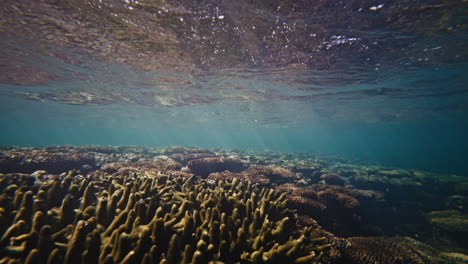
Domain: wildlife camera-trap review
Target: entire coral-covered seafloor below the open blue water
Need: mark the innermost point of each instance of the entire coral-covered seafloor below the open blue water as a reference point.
(64, 204)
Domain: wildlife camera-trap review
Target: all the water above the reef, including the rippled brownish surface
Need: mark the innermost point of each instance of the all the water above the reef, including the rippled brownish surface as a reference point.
(381, 81)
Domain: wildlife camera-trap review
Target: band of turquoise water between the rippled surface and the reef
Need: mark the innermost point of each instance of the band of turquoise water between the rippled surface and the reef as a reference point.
(438, 145)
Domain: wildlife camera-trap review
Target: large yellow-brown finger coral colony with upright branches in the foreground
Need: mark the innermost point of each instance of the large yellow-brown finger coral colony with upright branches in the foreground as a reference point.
(150, 219)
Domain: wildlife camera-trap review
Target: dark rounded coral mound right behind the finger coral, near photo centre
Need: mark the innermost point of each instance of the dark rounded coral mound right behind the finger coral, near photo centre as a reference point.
(205, 166)
